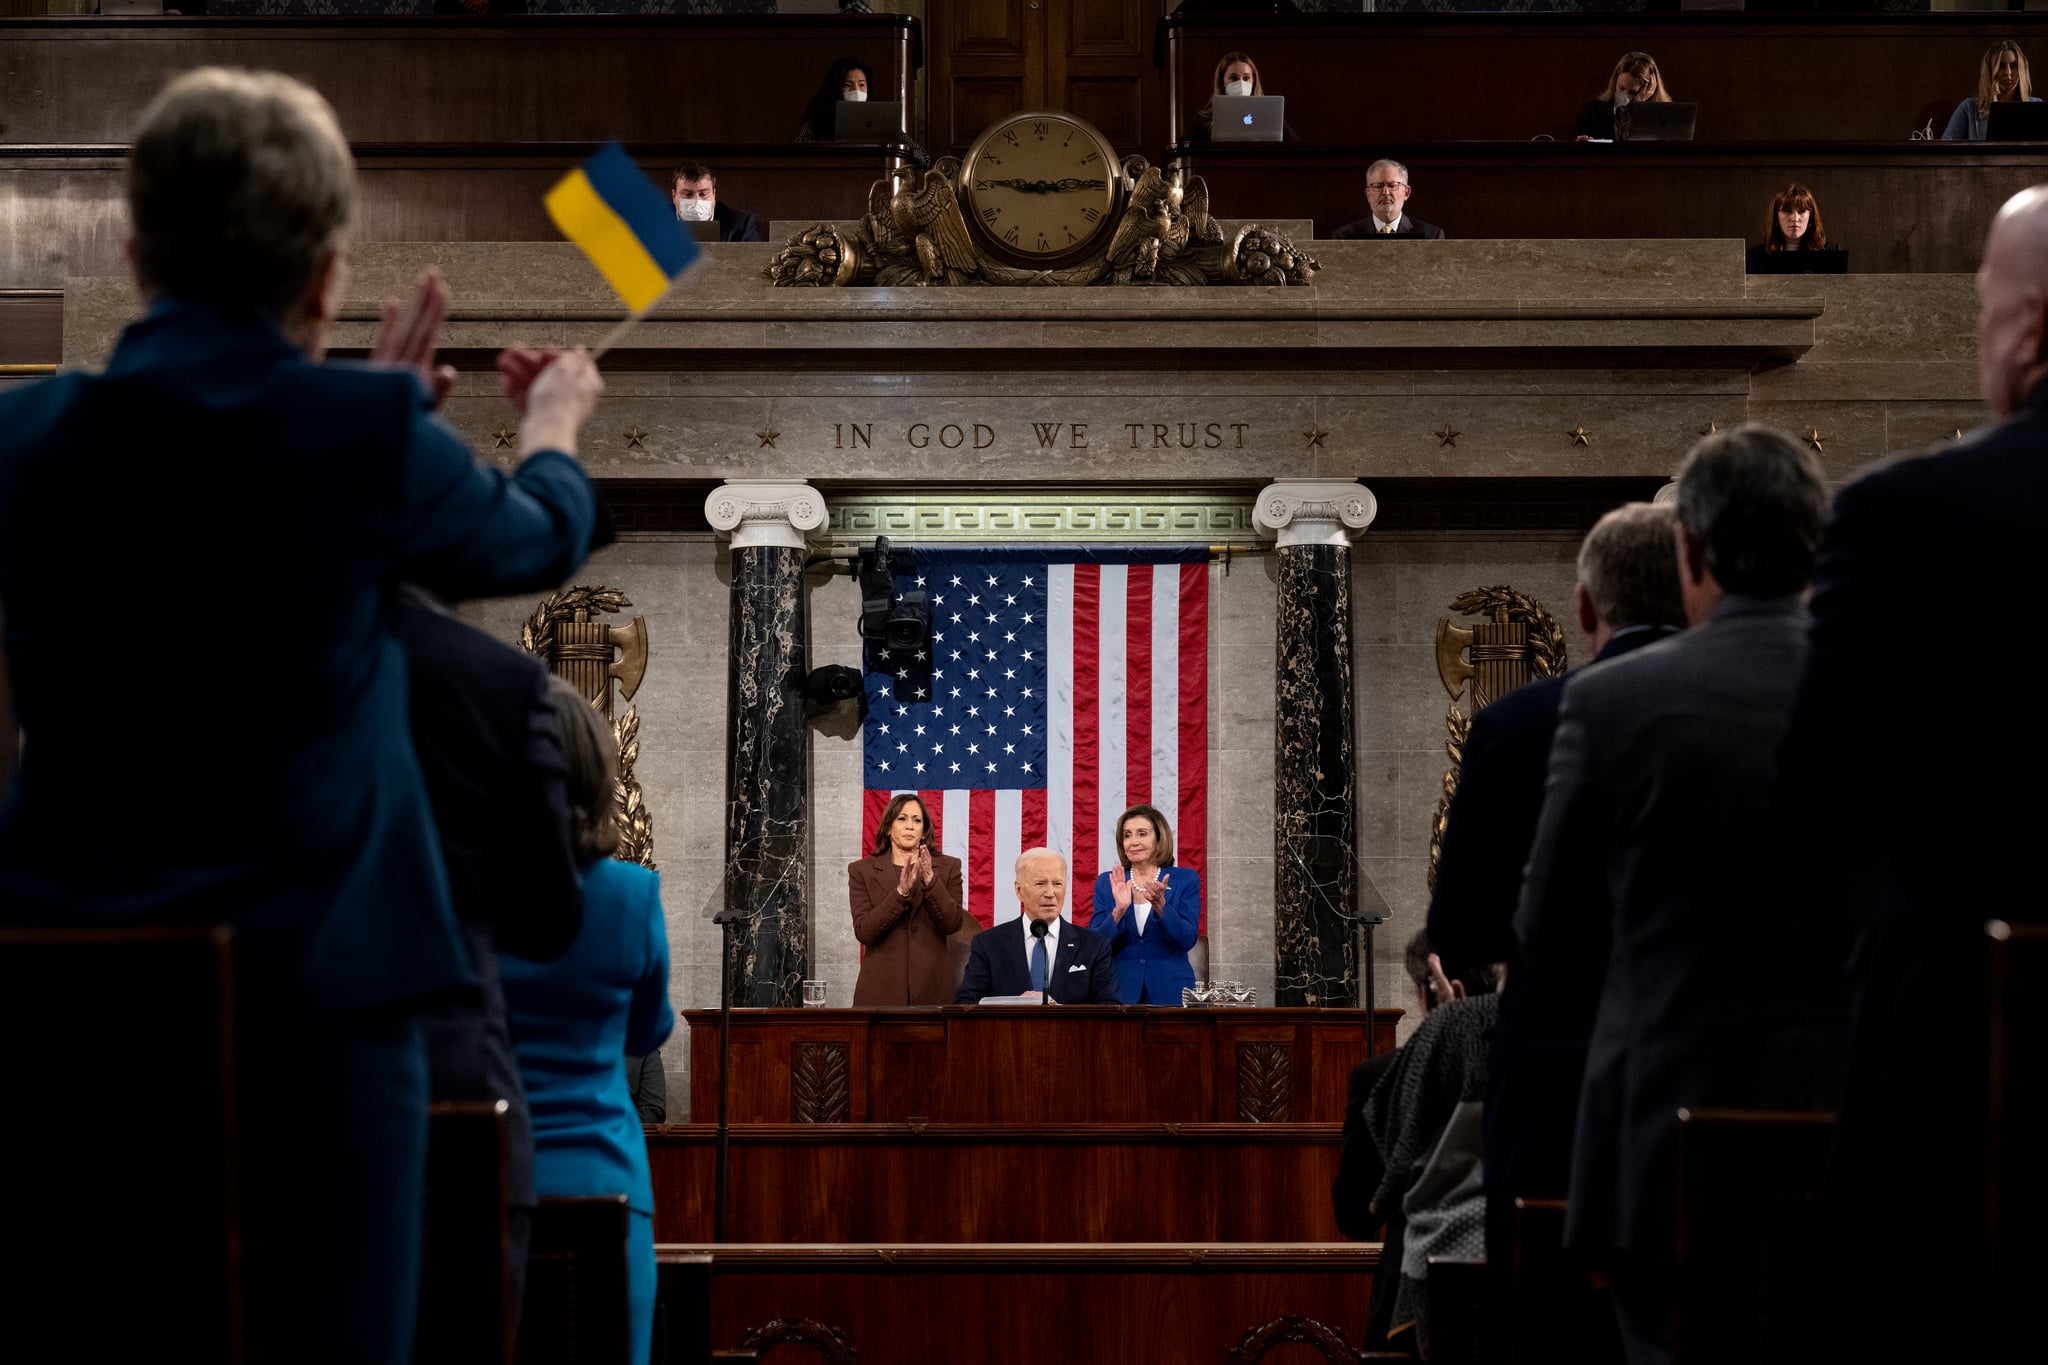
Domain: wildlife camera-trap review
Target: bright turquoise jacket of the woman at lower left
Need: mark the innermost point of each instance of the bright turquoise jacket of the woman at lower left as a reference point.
(574, 1022)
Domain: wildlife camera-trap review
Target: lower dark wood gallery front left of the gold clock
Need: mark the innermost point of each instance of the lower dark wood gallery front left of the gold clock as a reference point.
(62, 210)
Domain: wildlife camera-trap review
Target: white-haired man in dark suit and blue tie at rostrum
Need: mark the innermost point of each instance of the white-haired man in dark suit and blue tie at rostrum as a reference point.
(1056, 959)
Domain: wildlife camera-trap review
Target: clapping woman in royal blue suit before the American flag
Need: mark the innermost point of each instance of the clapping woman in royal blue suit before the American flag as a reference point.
(1150, 912)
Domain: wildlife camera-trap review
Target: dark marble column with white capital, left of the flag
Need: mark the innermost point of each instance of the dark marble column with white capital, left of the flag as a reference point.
(767, 746)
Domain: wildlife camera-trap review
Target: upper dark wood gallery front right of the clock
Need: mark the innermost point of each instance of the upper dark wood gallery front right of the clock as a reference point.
(1512, 77)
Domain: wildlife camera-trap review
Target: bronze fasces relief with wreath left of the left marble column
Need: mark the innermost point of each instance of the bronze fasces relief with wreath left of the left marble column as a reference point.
(607, 666)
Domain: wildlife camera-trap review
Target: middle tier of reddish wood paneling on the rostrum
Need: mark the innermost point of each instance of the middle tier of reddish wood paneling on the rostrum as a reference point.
(959, 1184)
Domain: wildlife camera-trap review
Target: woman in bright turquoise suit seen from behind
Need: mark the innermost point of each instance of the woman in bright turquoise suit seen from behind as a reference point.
(574, 1020)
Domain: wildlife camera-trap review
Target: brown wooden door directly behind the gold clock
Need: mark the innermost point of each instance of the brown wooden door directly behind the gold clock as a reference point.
(1093, 58)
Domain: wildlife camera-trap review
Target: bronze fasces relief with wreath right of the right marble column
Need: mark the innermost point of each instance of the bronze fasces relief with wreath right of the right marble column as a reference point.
(1517, 644)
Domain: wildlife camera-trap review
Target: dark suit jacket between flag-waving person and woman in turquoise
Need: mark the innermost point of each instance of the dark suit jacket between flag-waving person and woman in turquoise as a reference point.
(493, 758)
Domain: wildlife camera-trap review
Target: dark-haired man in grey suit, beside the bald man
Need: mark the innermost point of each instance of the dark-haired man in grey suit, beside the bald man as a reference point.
(1660, 799)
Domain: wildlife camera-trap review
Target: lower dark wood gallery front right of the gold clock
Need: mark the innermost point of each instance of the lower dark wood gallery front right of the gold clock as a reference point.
(1900, 210)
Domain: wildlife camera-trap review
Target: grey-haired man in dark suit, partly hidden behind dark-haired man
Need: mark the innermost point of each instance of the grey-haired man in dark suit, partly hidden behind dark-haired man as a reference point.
(1627, 599)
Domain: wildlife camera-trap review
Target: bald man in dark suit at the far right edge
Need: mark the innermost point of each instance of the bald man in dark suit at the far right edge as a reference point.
(1889, 766)
